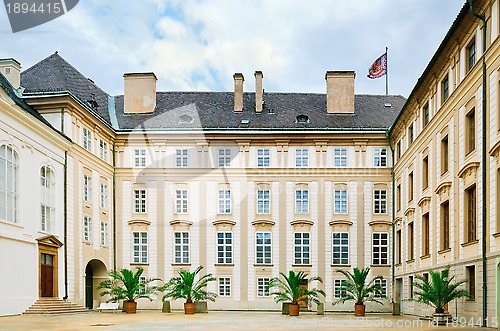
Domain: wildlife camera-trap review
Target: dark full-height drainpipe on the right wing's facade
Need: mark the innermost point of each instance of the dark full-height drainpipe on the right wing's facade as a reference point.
(483, 162)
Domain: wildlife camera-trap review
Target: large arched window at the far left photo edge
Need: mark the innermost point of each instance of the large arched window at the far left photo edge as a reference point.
(9, 164)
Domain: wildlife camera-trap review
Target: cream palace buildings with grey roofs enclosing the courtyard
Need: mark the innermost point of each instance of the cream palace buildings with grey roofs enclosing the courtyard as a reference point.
(249, 184)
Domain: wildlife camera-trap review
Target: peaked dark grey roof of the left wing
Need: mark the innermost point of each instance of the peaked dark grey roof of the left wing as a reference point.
(55, 74)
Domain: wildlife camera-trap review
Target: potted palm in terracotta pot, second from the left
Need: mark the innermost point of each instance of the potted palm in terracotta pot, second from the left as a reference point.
(185, 286)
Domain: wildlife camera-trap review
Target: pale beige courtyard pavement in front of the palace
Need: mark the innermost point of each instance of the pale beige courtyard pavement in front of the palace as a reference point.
(216, 320)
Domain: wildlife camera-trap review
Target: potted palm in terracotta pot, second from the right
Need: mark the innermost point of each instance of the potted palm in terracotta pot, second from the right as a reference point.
(357, 289)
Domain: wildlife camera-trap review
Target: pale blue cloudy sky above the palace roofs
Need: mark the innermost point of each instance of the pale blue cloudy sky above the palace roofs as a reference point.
(197, 45)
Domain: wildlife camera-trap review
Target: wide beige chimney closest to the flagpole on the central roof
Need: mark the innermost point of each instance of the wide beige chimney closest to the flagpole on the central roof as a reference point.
(340, 92)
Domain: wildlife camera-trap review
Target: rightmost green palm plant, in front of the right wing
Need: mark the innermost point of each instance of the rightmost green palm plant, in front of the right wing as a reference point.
(440, 290)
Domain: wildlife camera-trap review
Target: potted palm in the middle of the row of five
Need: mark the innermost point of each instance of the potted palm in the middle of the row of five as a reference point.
(291, 289)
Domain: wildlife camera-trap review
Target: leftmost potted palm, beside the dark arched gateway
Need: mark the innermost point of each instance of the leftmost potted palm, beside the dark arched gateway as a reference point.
(127, 285)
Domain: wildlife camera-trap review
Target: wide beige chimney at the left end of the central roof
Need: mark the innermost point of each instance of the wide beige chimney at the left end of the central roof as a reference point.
(139, 93)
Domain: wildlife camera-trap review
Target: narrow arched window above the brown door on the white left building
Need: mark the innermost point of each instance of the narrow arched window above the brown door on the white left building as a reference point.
(47, 199)
